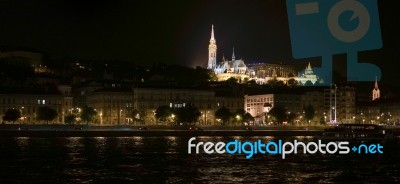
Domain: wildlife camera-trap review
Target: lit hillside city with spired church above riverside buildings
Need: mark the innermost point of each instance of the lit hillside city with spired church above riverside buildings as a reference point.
(229, 96)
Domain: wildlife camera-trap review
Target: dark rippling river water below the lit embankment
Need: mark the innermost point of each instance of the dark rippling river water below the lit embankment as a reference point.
(165, 160)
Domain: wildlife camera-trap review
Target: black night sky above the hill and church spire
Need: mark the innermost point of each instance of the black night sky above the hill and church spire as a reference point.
(171, 31)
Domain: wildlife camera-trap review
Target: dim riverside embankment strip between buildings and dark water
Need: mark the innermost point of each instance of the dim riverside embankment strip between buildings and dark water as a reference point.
(14, 130)
